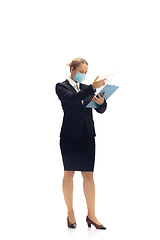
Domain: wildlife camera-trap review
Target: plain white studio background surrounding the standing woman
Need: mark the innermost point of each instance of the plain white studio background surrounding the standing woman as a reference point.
(37, 39)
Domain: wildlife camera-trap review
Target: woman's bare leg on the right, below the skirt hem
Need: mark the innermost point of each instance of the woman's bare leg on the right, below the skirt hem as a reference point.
(89, 192)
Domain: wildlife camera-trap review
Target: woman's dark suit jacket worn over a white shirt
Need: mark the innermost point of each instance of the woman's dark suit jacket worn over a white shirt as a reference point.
(76, 113)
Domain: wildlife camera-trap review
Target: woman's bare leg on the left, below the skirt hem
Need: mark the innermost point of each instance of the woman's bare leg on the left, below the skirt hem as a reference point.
(67, 186)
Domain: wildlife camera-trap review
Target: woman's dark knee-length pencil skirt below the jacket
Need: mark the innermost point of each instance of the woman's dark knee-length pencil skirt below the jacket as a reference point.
(78, 154)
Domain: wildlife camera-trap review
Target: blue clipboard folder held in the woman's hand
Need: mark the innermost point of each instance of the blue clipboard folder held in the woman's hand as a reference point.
(108, 89)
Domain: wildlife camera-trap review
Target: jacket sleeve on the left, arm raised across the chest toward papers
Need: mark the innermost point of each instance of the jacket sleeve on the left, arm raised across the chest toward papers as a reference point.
(67, 96)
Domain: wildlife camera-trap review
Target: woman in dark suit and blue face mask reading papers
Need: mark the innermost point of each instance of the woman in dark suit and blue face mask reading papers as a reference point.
(77, 137)
